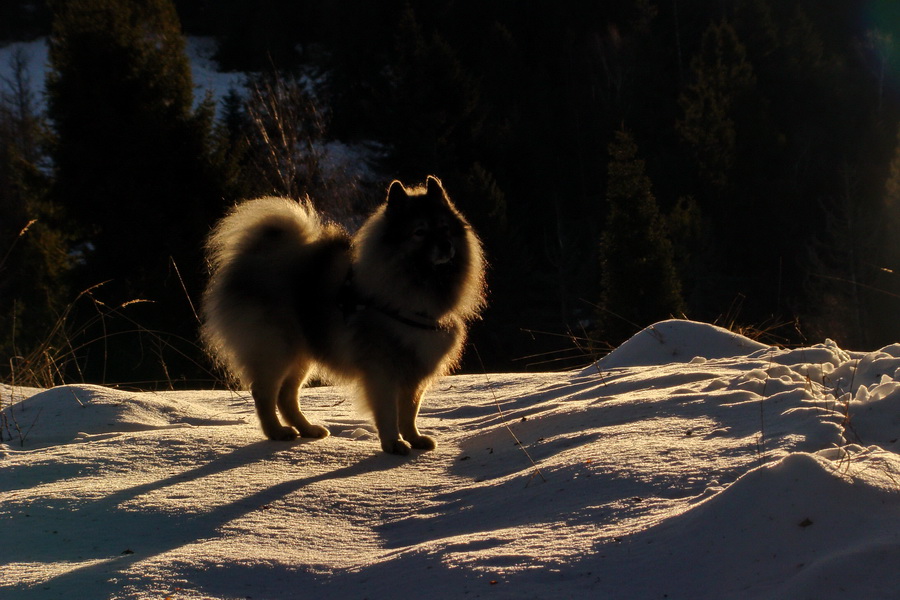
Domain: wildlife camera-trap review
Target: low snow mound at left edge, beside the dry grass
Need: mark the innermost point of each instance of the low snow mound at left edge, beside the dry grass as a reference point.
(81, 412)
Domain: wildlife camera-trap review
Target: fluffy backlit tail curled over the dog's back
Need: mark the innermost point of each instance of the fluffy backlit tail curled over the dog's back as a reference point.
(261, 226)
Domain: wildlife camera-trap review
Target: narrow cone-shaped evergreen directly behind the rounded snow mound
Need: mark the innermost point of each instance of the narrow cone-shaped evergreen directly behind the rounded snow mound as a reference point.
(640, 284)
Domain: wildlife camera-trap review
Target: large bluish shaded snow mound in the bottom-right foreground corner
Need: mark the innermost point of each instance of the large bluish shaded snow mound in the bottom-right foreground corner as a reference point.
(786, 530)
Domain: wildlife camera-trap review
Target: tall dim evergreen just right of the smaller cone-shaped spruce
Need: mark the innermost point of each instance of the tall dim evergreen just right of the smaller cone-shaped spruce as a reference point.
(726, 129)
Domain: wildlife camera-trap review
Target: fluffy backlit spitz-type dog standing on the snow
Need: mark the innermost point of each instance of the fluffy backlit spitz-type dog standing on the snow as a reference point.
(387, 308)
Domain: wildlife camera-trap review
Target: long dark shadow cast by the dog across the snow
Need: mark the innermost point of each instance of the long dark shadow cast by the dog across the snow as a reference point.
(149, 533)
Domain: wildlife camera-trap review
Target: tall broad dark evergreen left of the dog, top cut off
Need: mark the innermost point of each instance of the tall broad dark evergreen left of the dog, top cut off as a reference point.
(133, 158)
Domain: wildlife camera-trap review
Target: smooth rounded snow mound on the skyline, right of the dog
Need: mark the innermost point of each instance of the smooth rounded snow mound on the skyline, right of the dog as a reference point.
(677, 341)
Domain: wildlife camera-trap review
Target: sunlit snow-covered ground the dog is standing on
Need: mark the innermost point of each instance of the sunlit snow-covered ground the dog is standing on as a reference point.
(689, 463)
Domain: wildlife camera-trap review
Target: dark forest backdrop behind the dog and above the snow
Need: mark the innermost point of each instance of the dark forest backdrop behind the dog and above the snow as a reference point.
(731, 161)
